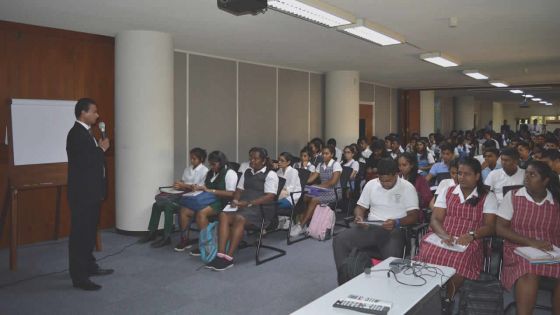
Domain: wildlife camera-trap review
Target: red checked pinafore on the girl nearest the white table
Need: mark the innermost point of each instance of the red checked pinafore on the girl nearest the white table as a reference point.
(459, 220)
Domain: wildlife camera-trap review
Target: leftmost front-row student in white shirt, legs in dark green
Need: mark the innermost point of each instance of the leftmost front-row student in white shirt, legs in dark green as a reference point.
(192, 175)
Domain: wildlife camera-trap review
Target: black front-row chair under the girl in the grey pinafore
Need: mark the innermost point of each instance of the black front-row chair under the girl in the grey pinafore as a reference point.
(272, 206)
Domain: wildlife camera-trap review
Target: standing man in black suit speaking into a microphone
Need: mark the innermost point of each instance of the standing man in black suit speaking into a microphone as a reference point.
(86, 191)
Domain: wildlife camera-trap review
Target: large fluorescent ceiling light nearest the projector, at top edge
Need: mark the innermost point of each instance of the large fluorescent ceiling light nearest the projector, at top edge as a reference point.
(308, 12)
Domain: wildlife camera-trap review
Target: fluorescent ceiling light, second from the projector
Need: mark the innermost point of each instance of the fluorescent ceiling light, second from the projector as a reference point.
(372, 33)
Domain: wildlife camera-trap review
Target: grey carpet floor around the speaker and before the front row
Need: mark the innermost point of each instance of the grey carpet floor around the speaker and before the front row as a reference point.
(161, 281)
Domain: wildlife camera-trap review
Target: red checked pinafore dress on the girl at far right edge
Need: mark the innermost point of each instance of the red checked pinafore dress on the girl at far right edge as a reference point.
(534, 221)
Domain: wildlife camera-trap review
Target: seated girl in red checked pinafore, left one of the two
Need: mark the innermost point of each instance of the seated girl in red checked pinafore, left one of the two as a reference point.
(463, 214)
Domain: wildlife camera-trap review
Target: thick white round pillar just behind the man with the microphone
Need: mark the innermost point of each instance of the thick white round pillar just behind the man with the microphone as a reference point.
(143, 123)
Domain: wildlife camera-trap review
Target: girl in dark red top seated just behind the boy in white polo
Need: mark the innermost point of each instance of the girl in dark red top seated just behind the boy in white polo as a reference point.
(408, 167)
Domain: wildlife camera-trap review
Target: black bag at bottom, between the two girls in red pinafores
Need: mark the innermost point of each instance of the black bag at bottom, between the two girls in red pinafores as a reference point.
(481, 297)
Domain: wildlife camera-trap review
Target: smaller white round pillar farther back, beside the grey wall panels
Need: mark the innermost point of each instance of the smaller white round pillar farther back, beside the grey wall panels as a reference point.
(342, 106)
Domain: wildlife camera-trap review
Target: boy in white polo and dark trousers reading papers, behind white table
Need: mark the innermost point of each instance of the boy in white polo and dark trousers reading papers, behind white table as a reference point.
(393, 202)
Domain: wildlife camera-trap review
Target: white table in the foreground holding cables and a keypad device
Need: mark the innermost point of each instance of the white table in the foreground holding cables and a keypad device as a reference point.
(377, 285)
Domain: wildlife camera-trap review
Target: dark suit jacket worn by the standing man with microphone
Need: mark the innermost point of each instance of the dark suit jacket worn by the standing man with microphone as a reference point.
(86, 181)
